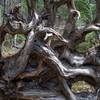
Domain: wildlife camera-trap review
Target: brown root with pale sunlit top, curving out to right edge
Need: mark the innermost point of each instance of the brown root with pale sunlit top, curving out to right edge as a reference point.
(79, 35)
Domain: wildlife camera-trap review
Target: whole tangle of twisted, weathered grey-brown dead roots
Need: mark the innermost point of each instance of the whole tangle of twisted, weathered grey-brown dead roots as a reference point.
(58, 62)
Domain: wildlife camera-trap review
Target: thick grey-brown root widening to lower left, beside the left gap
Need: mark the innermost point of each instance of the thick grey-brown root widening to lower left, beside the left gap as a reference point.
(16, 64)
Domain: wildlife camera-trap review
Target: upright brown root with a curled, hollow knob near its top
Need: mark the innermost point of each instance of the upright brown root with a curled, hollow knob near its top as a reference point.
(74, 14)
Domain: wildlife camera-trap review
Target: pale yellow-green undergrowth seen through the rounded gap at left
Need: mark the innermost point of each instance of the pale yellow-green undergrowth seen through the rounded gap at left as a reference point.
(12, 44)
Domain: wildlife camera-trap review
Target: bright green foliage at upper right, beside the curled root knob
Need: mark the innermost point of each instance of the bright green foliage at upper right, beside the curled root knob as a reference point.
(87, 10)
